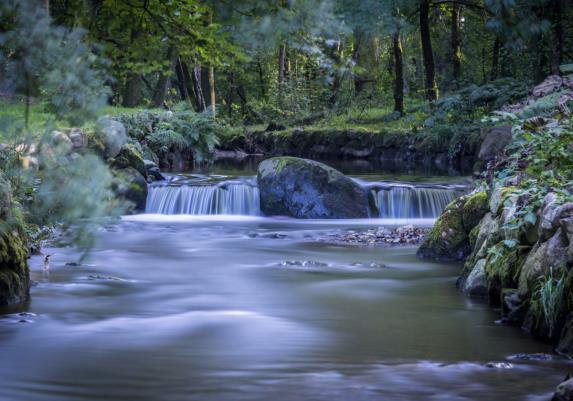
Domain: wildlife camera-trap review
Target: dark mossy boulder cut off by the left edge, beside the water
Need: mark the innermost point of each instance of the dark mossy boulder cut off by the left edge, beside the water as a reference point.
(14, 273)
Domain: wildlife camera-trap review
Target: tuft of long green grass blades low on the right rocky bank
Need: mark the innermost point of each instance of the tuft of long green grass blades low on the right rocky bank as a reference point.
(547, 299)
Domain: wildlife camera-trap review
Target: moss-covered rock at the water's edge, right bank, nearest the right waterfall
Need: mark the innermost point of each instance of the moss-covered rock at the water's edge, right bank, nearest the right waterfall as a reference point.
(449, 239)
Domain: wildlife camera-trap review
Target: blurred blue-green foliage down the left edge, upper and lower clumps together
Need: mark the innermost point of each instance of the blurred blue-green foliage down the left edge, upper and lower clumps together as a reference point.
(54, 66)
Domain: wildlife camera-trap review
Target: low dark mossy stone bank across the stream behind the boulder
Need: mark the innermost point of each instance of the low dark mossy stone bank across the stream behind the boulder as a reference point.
(360, 143)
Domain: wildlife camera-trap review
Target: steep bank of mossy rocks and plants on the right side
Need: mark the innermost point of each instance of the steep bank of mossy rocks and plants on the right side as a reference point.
(515, 233)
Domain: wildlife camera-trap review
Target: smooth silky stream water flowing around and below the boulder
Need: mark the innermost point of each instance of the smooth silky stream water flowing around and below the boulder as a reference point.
(230, 307)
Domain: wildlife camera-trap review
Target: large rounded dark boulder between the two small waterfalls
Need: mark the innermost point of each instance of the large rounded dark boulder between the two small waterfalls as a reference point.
(306, 189)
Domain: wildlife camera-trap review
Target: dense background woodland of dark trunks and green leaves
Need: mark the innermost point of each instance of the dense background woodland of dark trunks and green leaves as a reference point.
(255, 61)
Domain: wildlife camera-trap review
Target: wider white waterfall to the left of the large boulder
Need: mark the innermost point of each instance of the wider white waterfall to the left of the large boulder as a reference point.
(227, 198)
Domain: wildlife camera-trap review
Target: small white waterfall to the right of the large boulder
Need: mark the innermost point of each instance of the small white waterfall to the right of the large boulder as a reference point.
(404, 202)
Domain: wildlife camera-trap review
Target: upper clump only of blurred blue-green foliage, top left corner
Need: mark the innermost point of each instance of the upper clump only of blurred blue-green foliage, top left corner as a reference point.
(54, 63)
